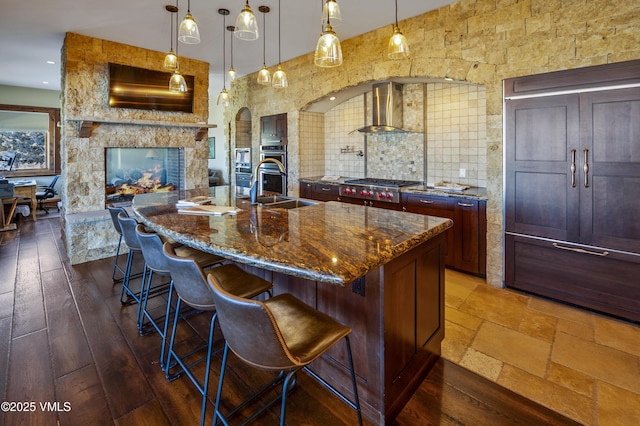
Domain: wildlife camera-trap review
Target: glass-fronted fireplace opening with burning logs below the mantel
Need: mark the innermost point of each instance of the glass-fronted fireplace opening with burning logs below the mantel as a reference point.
(133, 171)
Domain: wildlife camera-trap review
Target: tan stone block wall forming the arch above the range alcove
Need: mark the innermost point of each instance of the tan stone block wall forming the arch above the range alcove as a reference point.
(475, 41)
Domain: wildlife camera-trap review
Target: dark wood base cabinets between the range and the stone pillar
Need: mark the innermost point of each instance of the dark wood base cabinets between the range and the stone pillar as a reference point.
(465, 247)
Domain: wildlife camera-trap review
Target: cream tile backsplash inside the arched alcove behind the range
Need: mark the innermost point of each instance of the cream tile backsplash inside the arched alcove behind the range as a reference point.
(455, 123)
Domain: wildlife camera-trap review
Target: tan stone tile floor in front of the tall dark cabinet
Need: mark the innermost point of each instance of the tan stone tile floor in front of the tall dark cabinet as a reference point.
(576, 362)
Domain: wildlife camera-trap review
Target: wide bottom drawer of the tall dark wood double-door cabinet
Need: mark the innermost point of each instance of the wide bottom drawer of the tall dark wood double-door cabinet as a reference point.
(584, 276)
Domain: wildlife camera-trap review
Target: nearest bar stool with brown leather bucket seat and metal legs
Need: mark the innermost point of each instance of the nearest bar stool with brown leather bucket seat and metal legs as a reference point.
(280, 334)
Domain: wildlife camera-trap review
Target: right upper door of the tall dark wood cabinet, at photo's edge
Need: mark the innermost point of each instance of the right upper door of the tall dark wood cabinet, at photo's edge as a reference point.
(610, 147)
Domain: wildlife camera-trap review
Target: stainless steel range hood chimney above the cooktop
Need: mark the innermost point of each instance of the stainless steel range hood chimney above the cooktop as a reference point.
(387, 109)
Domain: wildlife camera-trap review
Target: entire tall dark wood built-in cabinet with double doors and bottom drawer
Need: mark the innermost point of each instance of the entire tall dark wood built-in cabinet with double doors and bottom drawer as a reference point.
(572, 187)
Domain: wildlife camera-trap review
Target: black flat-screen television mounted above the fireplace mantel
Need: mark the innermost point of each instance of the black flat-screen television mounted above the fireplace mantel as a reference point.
(139, 88)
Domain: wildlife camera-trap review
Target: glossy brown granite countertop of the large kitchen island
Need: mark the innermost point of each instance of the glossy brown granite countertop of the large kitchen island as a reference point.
(331, 242)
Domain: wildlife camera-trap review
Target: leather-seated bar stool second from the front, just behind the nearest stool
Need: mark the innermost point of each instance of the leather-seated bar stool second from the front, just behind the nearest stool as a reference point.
(191, 286)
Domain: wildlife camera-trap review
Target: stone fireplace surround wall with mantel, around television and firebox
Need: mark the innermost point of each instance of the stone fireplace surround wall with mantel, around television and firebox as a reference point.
(87, 228)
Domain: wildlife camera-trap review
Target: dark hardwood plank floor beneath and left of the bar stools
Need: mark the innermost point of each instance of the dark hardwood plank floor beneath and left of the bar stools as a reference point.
(66, 339)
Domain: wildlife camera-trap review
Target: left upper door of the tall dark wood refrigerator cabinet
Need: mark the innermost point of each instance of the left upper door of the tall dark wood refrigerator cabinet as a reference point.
(541, 152)
